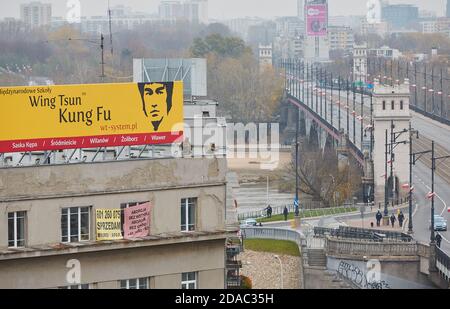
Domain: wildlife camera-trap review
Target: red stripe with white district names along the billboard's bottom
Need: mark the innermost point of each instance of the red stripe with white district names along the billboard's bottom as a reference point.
(89, 141)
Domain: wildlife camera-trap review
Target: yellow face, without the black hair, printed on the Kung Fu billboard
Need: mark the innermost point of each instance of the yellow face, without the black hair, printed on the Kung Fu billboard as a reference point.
(155, 101)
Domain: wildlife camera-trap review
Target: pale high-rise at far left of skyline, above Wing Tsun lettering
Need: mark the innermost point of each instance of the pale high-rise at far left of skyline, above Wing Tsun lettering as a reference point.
(36, 14)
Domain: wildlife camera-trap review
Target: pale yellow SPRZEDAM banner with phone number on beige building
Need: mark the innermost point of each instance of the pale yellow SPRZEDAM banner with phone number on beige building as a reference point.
(108, 224)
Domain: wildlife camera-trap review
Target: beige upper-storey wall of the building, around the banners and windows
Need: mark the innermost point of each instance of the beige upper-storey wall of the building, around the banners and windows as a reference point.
(107, 185)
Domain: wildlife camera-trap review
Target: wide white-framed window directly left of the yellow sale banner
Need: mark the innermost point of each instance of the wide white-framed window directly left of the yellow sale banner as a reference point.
(75, 223)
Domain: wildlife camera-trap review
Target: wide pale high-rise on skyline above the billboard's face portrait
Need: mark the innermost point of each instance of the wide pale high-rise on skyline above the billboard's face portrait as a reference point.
(191, 10)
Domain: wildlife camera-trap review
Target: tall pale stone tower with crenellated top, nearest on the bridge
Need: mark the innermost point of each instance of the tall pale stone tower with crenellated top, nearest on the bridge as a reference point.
(391, 103)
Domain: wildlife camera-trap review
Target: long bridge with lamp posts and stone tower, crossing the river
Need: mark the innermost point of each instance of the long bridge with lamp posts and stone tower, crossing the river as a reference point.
(388, 123)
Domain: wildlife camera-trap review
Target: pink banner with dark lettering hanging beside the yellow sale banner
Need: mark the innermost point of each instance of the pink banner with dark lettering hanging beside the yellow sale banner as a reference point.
(137, 221)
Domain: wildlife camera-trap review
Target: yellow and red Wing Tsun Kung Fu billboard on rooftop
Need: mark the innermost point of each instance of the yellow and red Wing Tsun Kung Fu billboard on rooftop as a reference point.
(90, 116)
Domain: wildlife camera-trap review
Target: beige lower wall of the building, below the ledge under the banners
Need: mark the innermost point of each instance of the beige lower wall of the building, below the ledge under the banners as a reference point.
(162, 264)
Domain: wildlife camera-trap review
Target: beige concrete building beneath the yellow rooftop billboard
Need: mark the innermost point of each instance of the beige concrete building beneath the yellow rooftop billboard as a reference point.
(48, 223)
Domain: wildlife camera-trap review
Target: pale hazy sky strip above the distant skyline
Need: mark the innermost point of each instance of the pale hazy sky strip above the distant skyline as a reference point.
(220, 9)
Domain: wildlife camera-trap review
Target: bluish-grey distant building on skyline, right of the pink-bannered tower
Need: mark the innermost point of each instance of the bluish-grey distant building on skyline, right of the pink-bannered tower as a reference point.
(400, 16)
